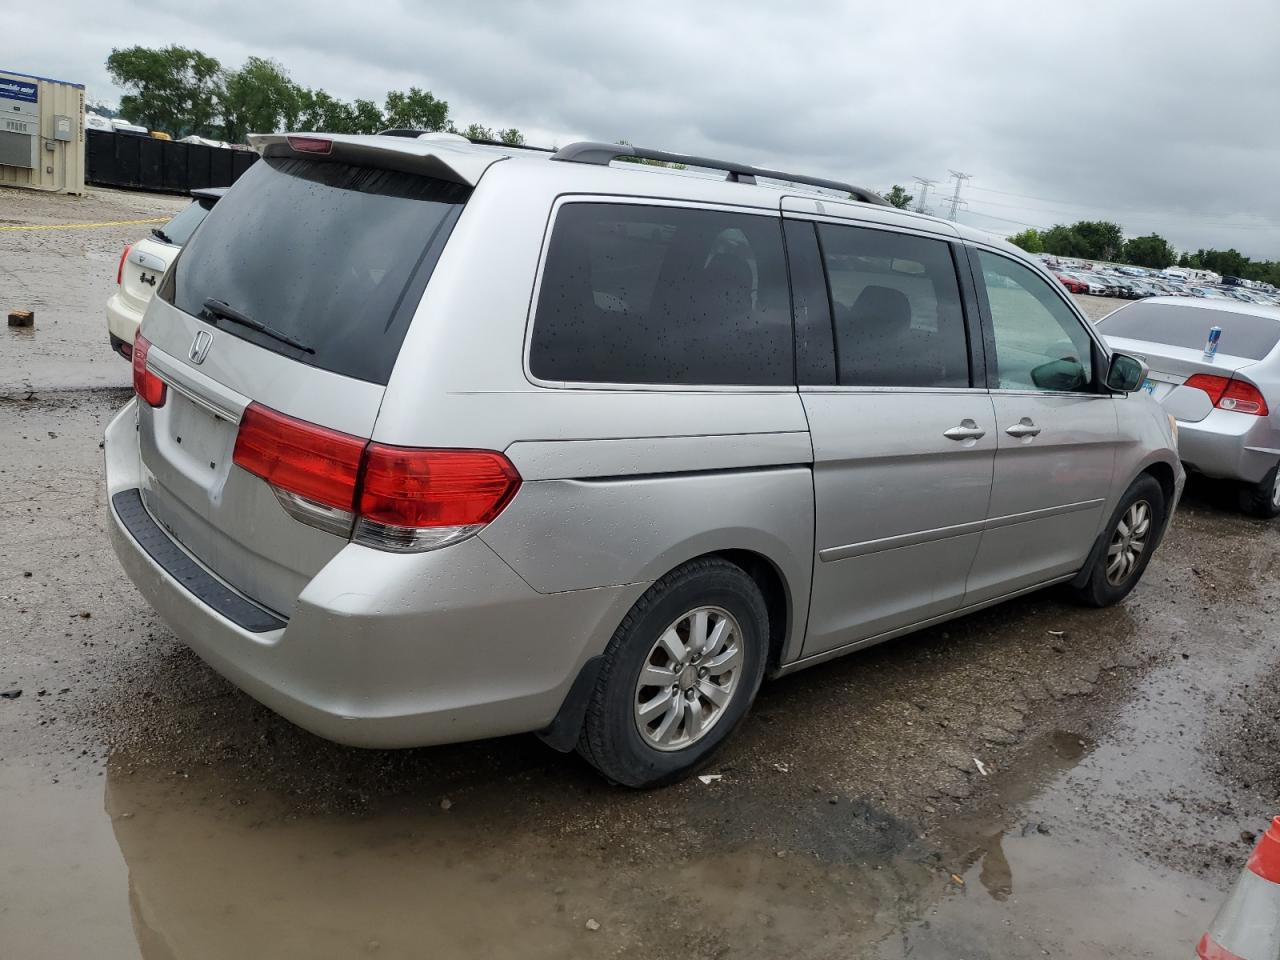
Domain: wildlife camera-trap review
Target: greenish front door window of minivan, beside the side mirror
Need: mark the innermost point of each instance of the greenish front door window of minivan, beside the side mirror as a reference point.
(1040, 342)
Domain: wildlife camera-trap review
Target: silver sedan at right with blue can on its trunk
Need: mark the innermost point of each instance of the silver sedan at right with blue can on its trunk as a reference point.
(1227, 406)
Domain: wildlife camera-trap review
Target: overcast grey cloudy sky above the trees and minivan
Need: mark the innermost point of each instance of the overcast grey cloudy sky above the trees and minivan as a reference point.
(1160, 116)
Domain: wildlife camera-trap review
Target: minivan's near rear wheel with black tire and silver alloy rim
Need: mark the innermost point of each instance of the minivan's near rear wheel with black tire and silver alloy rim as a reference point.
(647, 735)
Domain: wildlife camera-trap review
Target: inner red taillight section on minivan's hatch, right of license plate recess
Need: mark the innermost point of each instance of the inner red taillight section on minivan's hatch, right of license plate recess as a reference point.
(310, 461)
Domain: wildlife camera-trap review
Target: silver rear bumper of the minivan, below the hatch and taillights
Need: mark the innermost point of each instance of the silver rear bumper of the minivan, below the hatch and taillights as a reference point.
(388, 651)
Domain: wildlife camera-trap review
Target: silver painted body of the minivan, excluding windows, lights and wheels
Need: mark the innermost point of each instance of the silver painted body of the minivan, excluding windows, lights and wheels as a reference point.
(872, 522)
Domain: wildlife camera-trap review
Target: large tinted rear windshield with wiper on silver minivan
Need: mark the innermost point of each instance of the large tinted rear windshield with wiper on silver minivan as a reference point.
(328, 255)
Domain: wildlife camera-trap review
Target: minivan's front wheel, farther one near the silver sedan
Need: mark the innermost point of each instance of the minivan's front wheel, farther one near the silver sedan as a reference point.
(1131, 538)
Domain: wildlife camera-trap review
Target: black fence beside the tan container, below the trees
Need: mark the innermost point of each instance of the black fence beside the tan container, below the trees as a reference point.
(170, 167)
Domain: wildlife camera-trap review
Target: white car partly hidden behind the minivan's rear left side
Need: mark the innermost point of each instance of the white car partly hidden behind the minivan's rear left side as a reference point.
(144, 264)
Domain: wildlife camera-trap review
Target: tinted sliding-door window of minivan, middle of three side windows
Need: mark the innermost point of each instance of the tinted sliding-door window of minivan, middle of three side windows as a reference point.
(897, 309)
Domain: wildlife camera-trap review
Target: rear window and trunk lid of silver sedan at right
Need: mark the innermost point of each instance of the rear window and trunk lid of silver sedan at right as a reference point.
(1171, 339)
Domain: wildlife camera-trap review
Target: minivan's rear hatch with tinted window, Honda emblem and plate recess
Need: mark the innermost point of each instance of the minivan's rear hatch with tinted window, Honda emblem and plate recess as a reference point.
(294, 296)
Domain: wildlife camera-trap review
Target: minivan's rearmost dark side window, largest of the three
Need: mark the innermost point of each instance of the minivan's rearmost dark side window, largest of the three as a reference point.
(661, 295)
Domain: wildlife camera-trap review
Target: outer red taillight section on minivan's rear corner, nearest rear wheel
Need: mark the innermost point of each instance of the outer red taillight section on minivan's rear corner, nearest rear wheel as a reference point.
(426, 488)
